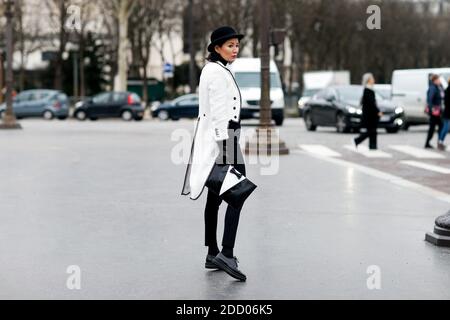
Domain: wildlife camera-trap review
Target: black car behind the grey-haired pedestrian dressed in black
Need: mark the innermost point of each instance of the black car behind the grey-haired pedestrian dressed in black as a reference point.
(339, 106)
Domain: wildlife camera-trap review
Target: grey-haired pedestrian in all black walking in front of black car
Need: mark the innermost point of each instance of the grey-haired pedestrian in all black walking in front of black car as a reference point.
(370, 113)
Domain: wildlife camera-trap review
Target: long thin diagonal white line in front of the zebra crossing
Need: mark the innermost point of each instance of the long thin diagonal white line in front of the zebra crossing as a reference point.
(439, 195)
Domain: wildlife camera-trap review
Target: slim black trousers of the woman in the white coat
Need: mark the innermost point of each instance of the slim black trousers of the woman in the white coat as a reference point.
(213, 202)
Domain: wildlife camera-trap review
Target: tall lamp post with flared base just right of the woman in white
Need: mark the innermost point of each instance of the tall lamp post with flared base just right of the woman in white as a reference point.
(266, 140)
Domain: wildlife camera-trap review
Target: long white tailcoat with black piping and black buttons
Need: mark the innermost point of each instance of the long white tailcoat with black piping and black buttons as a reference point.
(219, 102)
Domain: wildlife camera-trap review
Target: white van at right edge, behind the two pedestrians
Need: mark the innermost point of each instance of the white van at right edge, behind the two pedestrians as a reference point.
(409, 91)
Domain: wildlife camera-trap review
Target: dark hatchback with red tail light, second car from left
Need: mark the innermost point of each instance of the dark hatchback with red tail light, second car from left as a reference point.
(125, 105)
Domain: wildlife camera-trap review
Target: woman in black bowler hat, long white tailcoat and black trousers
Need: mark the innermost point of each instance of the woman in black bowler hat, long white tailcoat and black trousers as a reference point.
(216, 139)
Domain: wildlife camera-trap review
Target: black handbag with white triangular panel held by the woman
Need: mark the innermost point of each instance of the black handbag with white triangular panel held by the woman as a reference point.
(230, 185)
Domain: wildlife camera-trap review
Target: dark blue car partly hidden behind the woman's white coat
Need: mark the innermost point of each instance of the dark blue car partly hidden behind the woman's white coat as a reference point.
(182, 107)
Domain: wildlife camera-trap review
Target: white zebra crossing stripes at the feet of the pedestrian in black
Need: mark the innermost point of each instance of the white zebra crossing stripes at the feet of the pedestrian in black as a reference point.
(411, 153)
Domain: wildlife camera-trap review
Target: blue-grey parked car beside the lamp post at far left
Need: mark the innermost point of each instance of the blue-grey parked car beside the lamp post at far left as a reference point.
(39, 103)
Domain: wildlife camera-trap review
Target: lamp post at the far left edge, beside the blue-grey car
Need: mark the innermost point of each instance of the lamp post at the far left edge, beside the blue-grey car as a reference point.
(9, 119)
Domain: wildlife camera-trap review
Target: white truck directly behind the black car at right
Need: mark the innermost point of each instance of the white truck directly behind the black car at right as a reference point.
(315, 81)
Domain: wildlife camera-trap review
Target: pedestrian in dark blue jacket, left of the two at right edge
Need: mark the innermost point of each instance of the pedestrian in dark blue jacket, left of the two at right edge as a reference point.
(435, 100)
